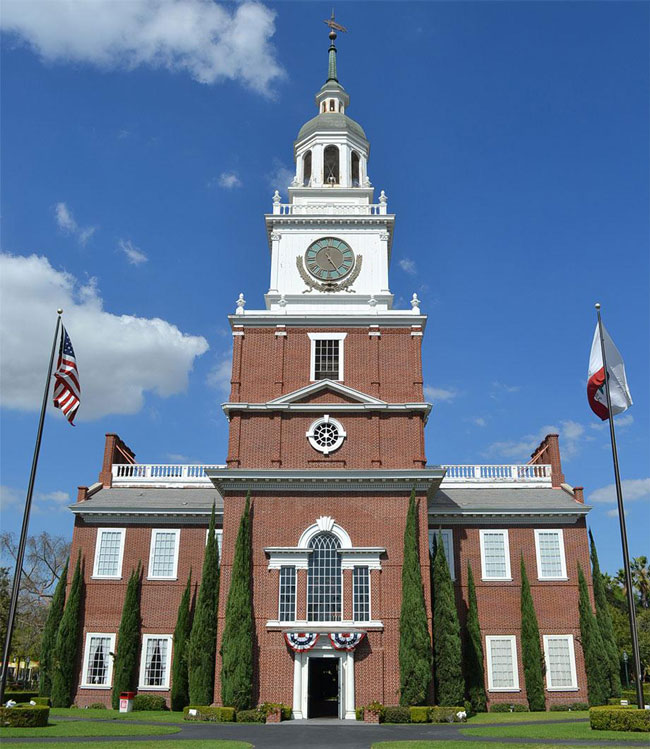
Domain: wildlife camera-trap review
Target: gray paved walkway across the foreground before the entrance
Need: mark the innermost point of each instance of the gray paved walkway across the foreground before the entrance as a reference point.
(326, 734)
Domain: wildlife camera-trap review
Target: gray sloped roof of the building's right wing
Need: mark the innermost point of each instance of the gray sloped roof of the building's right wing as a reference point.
(453, 501)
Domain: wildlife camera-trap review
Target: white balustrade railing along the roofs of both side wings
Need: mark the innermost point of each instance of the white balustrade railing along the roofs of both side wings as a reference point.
(164, 474)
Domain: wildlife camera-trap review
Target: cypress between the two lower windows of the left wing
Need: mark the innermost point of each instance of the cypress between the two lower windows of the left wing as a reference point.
(125, 678)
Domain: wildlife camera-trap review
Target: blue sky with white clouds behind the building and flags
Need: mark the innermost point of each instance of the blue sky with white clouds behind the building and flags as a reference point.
(142, 143)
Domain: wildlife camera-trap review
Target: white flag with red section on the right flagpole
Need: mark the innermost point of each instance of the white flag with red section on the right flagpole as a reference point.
(619, 392)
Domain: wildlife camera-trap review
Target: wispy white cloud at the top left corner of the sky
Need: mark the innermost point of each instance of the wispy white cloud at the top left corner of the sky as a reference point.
(210, 42)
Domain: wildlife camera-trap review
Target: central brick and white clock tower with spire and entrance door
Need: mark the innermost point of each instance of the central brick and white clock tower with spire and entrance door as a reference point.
(326, 418)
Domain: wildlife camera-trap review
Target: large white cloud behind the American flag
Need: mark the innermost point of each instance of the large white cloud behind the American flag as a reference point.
(120, 357)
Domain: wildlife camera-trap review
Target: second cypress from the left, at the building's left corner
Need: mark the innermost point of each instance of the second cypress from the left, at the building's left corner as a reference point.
(66, 645)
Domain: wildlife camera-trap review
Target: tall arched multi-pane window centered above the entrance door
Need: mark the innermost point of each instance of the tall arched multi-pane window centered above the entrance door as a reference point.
(324, 579)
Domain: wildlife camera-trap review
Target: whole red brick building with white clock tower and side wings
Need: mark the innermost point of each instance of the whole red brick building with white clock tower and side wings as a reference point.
(326, 417)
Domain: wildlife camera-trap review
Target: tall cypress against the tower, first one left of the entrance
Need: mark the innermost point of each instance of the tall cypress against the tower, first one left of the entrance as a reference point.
(237, 644)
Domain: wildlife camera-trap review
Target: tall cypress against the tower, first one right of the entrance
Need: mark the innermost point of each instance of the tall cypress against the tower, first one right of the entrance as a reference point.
(415, 659)
